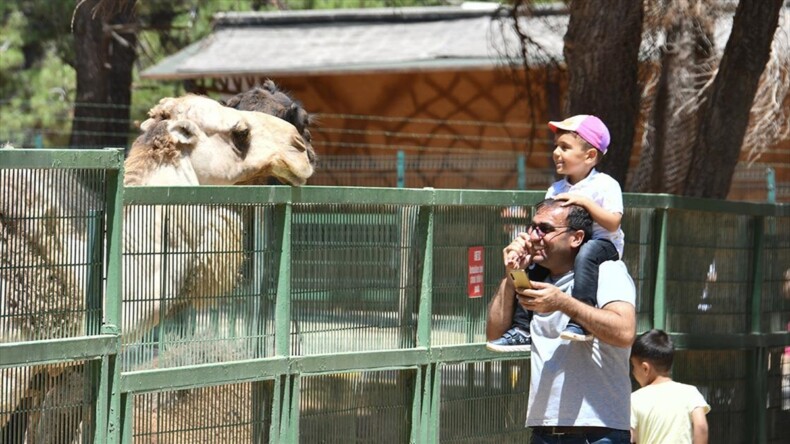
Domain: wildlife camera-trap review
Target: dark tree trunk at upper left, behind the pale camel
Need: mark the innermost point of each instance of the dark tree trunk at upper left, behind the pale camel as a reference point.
(104, 74)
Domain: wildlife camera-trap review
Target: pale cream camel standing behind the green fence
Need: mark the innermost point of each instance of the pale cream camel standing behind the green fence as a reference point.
(190, 140)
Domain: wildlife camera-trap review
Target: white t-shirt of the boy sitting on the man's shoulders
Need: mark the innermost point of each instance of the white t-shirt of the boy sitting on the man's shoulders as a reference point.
(602, 189)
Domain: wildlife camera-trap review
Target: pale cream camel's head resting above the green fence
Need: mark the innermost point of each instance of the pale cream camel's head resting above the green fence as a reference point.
(194, 140)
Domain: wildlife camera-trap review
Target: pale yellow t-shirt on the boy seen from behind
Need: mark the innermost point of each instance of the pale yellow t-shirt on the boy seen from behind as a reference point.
(661, 413)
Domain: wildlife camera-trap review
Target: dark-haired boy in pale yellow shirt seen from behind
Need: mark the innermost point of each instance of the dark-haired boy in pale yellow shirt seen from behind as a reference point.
(663, 411)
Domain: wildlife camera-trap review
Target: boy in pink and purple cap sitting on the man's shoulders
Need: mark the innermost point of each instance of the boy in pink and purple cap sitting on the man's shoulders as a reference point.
(581, 141)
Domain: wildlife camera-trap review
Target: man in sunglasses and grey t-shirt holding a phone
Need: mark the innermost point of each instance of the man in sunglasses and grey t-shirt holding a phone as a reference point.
(579, 391)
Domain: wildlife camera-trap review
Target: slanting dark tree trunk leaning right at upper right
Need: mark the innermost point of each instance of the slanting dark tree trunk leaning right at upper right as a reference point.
(726, 113)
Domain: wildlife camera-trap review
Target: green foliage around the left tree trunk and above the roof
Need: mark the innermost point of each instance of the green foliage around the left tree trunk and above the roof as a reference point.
(37, 81)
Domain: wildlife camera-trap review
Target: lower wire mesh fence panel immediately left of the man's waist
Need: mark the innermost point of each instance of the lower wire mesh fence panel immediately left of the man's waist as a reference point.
(485, 402)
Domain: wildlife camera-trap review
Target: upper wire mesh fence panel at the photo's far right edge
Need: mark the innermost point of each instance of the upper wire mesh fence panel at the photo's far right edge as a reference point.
(776, 275)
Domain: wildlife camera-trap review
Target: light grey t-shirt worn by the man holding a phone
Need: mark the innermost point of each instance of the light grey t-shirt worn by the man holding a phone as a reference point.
(581, 383)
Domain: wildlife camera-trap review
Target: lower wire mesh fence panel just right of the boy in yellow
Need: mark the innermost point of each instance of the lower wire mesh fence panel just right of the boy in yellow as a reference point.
(722, 378)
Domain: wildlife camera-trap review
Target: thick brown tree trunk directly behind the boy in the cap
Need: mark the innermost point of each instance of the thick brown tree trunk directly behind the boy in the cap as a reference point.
(601, 51)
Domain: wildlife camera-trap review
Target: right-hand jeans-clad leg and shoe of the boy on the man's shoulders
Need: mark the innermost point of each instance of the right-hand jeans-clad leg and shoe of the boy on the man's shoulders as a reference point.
(585, 274)
